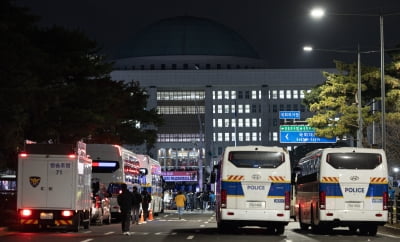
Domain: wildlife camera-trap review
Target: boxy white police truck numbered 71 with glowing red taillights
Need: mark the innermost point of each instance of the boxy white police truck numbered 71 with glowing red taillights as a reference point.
(53, 186)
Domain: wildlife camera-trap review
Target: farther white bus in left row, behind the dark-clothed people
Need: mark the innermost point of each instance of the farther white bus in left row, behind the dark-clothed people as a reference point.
(152, 182)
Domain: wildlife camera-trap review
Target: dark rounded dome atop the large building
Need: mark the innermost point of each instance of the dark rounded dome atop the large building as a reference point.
(188, 36)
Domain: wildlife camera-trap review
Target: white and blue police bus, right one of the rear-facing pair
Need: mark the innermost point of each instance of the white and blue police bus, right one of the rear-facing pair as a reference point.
(345, 187)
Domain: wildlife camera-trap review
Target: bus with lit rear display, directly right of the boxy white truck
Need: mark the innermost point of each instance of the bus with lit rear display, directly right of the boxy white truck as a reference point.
(113, 165)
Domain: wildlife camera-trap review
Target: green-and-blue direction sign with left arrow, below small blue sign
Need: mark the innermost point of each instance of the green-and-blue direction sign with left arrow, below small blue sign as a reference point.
(301, 134)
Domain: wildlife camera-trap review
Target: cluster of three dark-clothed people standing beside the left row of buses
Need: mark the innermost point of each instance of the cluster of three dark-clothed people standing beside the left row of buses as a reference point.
(129, 203)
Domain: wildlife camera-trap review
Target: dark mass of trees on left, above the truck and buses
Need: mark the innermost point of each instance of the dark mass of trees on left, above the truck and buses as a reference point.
(56, 87)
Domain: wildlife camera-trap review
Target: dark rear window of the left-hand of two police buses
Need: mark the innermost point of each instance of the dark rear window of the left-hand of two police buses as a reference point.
(258, 159)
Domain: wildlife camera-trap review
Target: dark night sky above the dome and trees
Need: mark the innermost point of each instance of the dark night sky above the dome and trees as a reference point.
(277, 30)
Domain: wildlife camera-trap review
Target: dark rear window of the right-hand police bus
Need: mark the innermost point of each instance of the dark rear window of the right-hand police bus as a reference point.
(363, 161)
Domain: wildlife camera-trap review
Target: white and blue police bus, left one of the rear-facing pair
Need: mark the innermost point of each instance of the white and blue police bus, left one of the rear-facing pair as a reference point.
(253, 188)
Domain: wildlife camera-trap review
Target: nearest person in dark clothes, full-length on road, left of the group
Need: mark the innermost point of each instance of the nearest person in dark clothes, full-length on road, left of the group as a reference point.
(125, 199)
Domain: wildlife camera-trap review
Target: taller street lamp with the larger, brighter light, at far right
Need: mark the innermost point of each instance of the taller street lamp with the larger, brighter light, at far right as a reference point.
(320, 12)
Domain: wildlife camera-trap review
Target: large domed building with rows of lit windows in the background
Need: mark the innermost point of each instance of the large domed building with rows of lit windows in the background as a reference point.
(212, 90)
